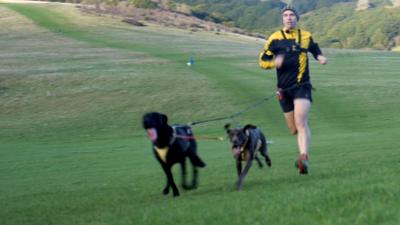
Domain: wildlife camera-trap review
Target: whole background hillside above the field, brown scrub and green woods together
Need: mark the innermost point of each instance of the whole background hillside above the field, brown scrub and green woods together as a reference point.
(365, 24)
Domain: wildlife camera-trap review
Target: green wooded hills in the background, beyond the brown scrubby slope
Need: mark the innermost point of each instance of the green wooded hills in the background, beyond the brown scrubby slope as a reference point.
(336, 23)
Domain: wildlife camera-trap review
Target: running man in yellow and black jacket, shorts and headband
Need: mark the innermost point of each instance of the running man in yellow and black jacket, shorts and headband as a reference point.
(286, 50)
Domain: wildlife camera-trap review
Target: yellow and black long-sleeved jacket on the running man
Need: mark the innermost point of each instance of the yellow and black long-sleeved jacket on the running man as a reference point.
(294, 45)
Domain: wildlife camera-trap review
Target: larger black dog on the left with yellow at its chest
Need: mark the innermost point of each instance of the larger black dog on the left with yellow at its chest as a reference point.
(172, 144)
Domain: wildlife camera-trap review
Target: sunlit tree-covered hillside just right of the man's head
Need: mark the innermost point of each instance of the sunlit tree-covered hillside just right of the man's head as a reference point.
(340, 27)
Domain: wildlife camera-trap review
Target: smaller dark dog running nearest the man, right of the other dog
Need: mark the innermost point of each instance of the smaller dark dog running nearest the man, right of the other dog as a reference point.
(245, 143)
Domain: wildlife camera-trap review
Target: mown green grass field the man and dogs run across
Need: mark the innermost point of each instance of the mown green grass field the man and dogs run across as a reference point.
(73, 90)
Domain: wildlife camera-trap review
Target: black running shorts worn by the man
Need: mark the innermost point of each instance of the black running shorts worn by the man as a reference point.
(286, 98)
